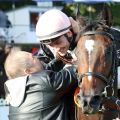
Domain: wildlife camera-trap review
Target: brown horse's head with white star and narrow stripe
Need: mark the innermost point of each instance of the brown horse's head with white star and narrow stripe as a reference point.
(94, 54)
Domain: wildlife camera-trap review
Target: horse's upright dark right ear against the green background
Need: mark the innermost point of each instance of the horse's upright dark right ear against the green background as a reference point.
(106, 15)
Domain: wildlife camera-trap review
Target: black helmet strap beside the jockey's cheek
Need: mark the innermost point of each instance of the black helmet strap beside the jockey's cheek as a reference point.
(71, 40)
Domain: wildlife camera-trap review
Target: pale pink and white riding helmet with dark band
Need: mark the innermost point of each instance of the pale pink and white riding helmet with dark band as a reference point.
(52, 24)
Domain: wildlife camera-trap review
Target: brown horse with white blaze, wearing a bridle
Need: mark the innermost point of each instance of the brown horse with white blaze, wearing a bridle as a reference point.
(95, 96)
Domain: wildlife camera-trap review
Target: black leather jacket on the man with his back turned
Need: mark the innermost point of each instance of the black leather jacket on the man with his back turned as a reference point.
(44, 98)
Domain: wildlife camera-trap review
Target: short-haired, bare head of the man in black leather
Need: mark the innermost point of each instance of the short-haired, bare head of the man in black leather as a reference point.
(20, 63)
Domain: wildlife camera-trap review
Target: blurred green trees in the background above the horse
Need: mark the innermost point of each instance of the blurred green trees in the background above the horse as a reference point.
(91, 10)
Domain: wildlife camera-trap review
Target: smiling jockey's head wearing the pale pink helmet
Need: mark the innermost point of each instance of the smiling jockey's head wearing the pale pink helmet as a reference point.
(53, 29)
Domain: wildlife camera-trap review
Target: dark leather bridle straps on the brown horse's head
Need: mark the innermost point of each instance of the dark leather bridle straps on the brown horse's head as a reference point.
(110, 79)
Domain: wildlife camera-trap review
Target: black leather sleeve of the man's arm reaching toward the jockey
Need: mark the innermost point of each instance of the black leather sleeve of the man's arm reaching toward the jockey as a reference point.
(63, 80)
